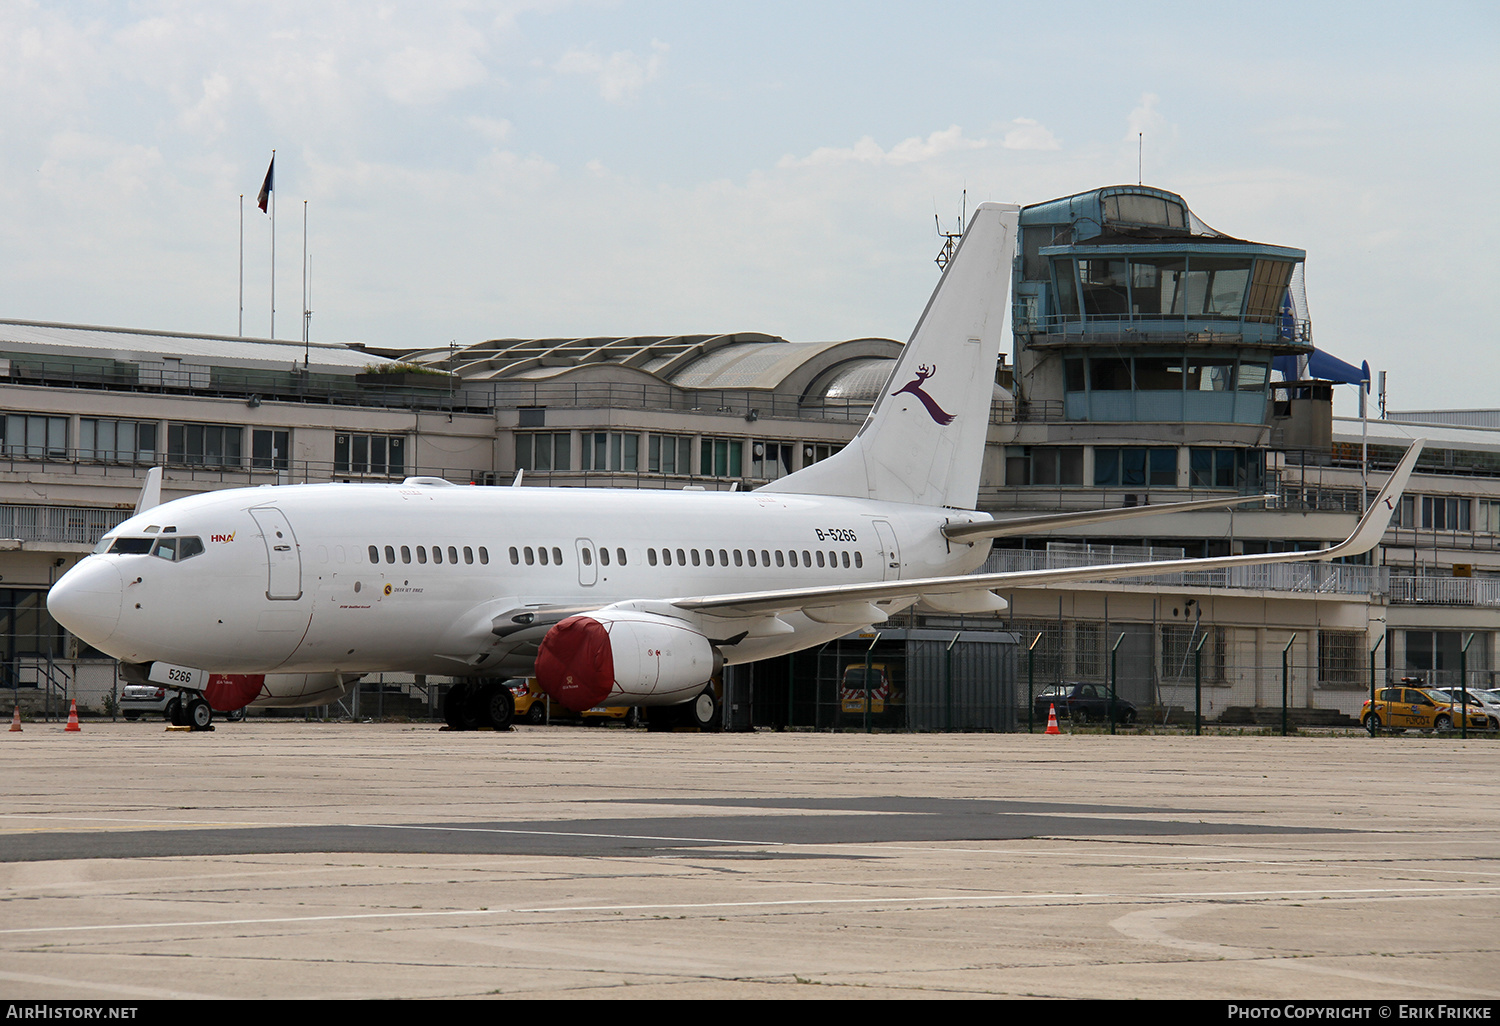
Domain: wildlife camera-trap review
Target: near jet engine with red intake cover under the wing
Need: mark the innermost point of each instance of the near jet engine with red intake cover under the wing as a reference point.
(628, 658)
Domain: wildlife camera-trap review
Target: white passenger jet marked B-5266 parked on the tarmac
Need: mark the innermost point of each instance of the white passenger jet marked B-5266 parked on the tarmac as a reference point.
(605, 596)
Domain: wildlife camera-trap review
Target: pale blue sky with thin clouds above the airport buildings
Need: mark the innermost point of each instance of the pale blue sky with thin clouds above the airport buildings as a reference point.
(515, 169)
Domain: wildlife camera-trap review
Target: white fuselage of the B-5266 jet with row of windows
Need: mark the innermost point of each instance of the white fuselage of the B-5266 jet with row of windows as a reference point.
(410, 578)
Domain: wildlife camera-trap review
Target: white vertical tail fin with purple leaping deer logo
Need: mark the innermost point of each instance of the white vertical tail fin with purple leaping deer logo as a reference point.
(925, 439)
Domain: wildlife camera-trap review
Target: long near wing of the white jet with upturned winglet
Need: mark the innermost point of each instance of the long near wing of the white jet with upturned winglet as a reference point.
(857, 604)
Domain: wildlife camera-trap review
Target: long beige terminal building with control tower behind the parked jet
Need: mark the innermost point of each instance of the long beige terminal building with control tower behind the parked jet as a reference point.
(1154, 361)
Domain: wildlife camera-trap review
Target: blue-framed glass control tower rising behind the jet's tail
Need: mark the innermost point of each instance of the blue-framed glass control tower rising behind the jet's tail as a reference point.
(1142, 353)
